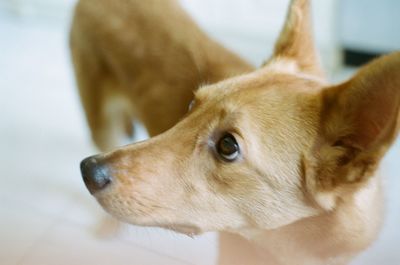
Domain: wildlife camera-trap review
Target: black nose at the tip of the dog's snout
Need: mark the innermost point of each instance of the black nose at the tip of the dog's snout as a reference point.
(95, 174)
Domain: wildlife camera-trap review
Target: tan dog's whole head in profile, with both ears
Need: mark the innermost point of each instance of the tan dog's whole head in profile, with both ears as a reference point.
(257, 151)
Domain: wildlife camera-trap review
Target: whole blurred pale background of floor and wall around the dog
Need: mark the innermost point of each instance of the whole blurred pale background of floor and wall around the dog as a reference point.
(46, 214)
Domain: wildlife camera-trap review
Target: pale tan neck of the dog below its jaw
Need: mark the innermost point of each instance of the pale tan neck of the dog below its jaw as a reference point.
(333, 236)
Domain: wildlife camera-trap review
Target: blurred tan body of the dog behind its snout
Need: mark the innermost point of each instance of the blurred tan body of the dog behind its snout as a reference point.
(141, 60)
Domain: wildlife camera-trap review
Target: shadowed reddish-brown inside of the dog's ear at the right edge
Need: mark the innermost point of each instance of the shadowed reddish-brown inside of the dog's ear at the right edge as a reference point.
(363, 113)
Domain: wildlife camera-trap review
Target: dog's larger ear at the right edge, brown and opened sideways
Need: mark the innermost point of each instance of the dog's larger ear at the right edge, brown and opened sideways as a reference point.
(359, 121)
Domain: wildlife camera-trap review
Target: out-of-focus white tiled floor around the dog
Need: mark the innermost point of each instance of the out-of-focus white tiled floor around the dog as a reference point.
(46, 215)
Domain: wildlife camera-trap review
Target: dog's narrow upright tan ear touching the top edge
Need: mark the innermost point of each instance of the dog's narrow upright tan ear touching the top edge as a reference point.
(296, 42)
